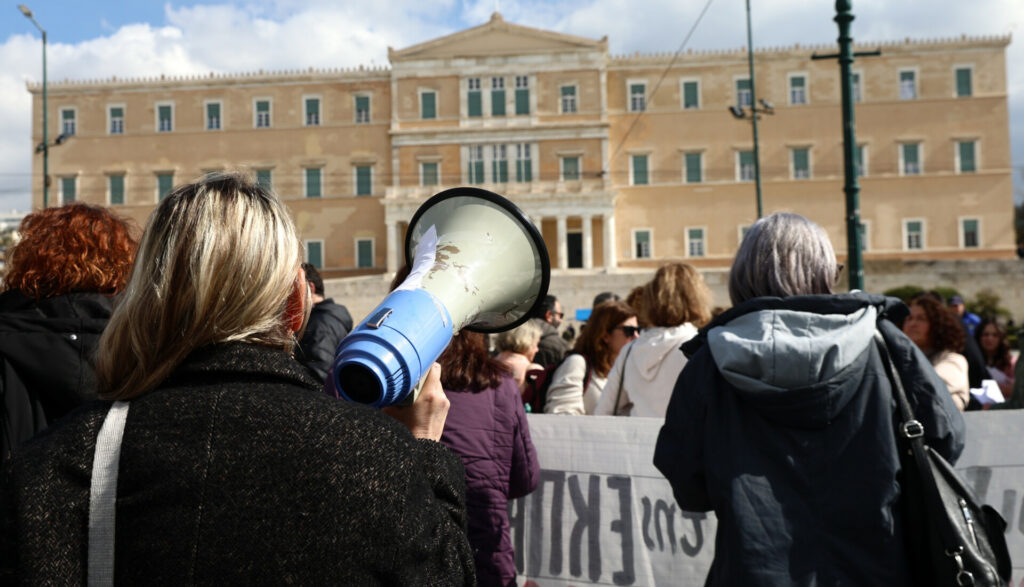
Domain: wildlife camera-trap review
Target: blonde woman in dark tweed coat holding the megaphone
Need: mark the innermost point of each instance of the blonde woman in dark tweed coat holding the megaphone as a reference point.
(221, 458)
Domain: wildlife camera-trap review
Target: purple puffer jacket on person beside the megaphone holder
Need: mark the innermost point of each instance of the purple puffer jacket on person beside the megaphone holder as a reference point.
(489, 431)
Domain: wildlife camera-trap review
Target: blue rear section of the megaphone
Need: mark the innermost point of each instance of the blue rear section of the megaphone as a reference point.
(383, 359)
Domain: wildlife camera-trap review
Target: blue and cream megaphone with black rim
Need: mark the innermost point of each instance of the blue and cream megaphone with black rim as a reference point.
(478, 263)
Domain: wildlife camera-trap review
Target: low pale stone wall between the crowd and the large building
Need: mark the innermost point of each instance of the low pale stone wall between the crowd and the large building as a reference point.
(577, 289)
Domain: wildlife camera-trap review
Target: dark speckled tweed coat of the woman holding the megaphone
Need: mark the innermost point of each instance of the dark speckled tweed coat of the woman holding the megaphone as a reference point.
(238, 470)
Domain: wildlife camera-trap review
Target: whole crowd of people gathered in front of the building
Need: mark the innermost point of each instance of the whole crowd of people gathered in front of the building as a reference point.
(196, 444)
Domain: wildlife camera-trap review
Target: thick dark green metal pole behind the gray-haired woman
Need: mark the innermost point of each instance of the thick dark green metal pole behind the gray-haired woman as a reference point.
(855, 264)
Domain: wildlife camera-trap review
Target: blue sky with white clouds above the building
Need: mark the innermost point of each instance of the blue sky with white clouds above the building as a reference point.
(130, 38)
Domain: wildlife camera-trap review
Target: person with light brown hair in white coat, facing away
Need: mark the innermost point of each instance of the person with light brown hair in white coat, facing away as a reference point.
(676, 303)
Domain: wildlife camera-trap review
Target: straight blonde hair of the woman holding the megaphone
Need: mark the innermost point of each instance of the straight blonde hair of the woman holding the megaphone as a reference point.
(218, 263)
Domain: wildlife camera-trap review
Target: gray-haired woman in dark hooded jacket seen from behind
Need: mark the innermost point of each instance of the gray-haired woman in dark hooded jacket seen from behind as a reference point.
(783, 421)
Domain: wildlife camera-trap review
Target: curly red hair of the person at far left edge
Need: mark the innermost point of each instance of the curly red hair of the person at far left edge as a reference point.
(74, 248)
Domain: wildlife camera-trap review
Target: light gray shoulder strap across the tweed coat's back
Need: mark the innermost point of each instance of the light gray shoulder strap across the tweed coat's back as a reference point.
(104, 494)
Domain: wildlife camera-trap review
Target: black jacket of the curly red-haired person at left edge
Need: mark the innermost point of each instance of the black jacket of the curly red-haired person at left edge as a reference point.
(47, 360)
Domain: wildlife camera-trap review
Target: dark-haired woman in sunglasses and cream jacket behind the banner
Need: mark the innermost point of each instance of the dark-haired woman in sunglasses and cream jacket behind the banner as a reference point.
(577, 384)
